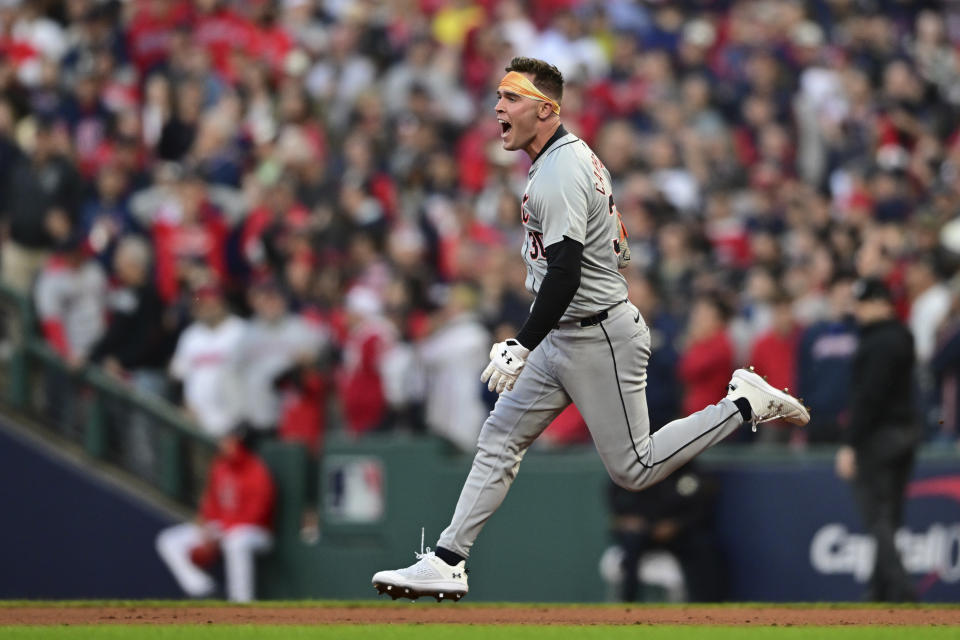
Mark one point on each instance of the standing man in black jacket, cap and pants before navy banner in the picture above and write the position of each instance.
(882, 436)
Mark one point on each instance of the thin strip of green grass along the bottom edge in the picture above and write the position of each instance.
(478, 632)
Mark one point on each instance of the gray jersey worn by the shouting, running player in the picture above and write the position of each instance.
(569, 193)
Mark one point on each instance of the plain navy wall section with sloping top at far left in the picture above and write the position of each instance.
(66, 533)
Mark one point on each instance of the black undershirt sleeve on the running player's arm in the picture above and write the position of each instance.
(555, 293)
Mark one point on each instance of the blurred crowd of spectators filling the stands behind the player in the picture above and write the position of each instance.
(295, 213)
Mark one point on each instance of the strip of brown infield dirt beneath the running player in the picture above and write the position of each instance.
(449, 613)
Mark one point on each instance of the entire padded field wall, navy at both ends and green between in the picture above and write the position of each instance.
(786, 526)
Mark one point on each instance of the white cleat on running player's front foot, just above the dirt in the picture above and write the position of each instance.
(429, 576)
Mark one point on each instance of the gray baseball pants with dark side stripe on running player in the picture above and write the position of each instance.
(603, 370)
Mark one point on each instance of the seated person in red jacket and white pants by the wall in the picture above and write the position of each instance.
(235, 519)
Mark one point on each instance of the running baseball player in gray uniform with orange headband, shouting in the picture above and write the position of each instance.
(583, 341)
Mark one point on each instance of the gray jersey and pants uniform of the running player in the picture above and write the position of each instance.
(596, 357)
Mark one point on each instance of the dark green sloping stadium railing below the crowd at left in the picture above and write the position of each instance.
(114, 422)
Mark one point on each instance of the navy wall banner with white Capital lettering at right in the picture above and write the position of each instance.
(794, 534)
